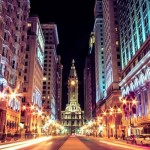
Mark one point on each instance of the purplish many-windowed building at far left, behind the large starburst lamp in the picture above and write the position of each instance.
(13, 37)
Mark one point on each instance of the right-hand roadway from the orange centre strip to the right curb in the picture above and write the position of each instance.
(109, 145)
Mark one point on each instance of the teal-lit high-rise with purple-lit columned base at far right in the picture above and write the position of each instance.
(135, 55)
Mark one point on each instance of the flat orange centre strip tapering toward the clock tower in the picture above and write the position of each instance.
(73, 143)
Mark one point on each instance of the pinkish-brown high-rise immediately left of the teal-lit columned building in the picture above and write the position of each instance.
(112, 64)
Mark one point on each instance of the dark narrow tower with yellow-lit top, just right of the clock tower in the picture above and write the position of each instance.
(89, 81)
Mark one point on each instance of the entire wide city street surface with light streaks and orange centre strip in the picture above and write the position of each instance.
(72, 143)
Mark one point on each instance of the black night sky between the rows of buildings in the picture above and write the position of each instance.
(75, 21)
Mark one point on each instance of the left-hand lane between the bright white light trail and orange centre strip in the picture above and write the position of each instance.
(53, 144)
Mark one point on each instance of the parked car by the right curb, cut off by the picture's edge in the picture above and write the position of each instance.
(138, 139)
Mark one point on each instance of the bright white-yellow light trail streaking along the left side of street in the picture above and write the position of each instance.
(19, 145)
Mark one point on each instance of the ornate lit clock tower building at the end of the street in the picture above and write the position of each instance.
(73, 116)
